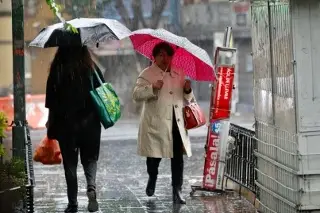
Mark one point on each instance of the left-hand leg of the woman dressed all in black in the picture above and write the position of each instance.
(70, 161)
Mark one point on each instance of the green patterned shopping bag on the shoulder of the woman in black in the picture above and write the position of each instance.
(106, 101)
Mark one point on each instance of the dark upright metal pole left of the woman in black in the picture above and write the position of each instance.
(18, 134)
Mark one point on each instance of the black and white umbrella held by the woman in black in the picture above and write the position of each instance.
(91, 31)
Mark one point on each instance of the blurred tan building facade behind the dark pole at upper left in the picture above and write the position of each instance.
(37, 61)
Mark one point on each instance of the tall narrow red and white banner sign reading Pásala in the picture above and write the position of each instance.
(218, 129)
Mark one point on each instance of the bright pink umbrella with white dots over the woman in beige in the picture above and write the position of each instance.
(195, 61)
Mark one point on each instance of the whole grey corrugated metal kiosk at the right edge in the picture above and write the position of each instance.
(286, 60)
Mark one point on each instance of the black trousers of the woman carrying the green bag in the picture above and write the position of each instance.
(83, 139)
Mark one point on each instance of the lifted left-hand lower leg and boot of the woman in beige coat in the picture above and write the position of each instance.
(152, 169)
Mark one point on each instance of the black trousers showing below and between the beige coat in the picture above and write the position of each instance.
(177, 163)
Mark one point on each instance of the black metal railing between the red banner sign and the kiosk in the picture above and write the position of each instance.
(240, 167)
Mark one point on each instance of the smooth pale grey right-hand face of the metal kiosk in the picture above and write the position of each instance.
(306, 51)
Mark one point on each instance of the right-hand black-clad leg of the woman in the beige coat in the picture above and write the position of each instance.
(177, 164)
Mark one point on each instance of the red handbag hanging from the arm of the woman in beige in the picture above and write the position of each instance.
(193, 115)
